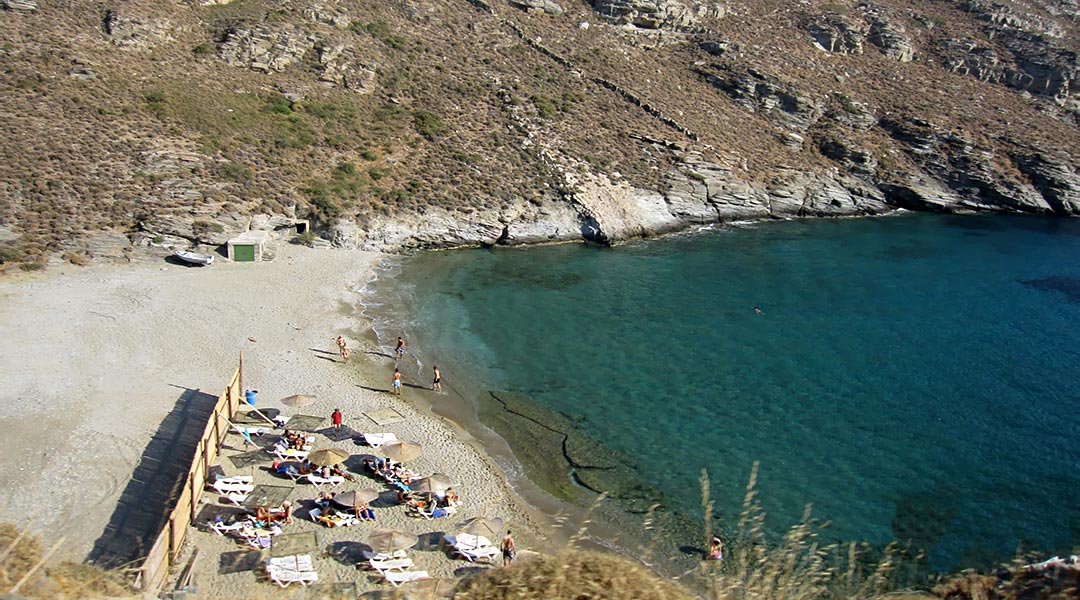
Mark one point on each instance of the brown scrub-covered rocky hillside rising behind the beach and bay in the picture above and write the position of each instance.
(396, 125)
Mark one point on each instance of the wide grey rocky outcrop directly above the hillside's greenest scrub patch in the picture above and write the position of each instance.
(263, 49)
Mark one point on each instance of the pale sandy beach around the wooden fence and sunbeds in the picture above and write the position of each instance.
(98, 357)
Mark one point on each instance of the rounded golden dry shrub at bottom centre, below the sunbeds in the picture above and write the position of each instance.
(571, 576)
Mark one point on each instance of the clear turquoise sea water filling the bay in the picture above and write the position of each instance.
(912, 377)
